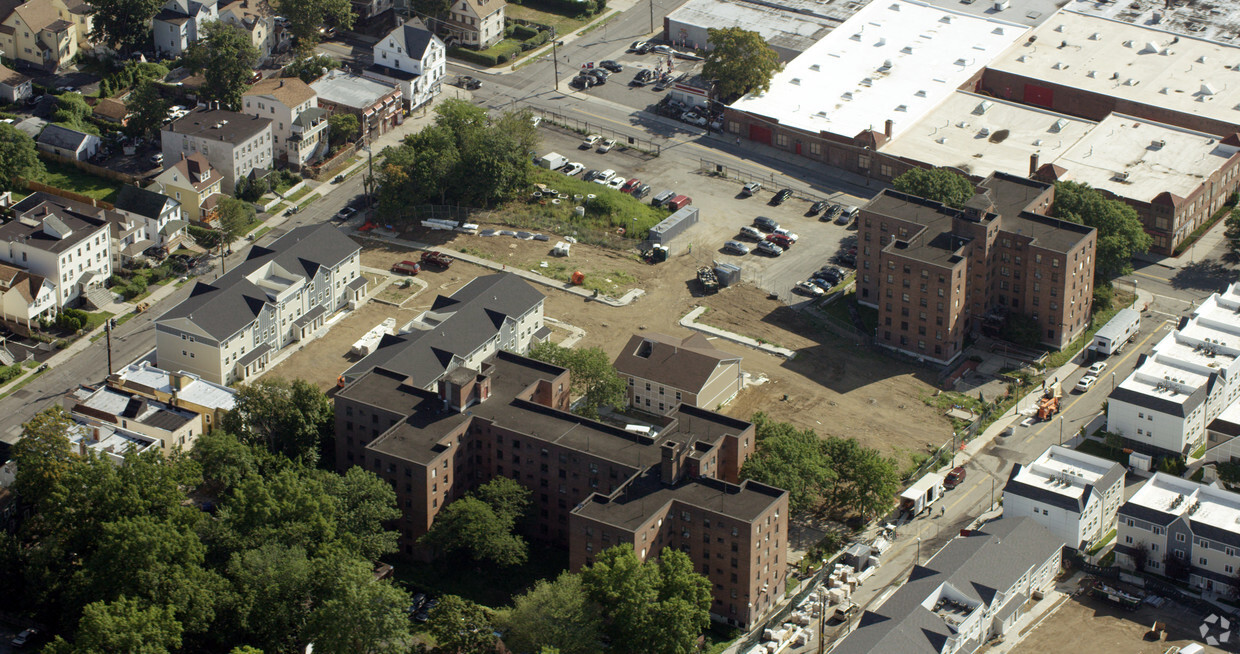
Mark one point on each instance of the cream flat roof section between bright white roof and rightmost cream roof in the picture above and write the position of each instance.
(979, 136)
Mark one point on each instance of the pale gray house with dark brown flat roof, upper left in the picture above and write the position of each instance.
(234, 143)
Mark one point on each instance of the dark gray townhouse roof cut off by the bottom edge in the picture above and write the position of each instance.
(979, 567)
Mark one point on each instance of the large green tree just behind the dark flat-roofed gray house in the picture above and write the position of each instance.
(228, 58)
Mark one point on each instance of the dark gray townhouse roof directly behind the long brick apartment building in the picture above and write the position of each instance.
(479, 311)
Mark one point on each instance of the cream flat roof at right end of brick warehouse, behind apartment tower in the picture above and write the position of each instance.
(1141, 159)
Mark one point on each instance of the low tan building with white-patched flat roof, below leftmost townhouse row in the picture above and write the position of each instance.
(180, 390)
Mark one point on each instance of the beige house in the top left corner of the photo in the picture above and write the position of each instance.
(37, 34)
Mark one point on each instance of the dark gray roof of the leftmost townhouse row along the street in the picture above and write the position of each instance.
(224, 307)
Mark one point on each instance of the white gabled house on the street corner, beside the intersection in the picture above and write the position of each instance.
(411, 58)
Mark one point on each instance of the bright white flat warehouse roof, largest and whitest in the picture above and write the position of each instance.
(875, 68)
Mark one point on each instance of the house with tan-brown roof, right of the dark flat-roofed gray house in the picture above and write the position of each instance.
(299, 127)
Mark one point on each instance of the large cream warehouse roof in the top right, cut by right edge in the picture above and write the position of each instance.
(1135, 63)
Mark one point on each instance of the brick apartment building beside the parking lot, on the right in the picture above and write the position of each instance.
(938, 275)
